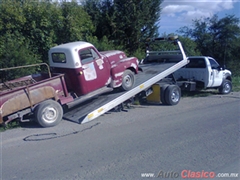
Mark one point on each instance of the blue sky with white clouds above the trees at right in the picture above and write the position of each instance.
(179, 13)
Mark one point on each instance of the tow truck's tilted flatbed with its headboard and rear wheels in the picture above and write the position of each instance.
(150, 75)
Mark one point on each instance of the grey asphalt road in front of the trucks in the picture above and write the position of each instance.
(199, 135)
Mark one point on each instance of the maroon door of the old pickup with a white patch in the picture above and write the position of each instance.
(95, 71)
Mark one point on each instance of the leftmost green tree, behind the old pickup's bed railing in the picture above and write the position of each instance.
(14, 48)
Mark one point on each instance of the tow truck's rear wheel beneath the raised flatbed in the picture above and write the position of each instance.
(172, 95)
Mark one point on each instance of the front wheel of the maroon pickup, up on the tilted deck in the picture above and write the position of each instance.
(128, 80)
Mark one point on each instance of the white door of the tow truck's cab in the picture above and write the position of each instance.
(215, 79)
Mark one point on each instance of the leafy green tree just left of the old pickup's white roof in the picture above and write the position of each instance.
(39, 28)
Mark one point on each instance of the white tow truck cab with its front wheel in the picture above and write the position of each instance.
(206, 73)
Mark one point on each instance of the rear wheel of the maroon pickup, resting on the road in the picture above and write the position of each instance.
(49, 113)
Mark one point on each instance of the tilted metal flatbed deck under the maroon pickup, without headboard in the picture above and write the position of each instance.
(152, 73)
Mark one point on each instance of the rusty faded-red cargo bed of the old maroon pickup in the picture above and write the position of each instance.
(26, 92)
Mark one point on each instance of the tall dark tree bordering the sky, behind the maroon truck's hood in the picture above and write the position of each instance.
(136, 21)
